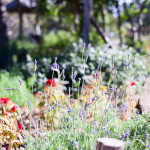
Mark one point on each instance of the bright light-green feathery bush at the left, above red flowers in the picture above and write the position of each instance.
(20, 97)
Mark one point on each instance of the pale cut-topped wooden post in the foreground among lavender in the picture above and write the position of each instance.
(109, 144)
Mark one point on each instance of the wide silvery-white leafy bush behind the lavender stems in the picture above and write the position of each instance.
(125, 62)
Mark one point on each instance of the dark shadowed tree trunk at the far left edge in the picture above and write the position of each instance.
(3, 27)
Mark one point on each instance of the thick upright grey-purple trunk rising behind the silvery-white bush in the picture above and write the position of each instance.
(87, 11)
